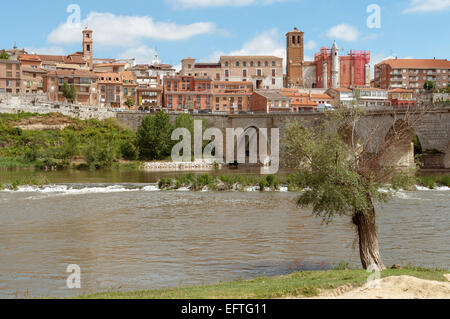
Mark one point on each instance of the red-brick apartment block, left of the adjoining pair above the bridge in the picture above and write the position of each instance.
(187, 93)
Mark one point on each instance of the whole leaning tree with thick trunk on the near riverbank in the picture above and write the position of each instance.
(342, 176)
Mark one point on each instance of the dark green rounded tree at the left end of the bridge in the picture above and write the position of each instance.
(154, 137)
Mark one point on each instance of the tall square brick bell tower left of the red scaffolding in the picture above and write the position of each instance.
(295, 58)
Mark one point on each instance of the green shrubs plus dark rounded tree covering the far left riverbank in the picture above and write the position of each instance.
(54, 141)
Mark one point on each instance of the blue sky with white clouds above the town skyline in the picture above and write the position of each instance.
(206, 29)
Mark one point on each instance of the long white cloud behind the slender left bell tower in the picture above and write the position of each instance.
(122, 31)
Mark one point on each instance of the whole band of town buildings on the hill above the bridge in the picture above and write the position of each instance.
(232, 85)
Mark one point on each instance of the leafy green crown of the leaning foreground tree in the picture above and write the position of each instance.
(324, 166)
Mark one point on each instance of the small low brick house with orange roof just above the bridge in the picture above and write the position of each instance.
(269, 101)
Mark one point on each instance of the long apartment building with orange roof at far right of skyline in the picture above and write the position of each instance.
(411, 74)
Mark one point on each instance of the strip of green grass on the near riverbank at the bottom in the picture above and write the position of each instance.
(298, 284)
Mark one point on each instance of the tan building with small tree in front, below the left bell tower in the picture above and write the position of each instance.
(85, 83)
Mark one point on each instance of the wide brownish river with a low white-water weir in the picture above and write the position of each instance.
(126, 235)
